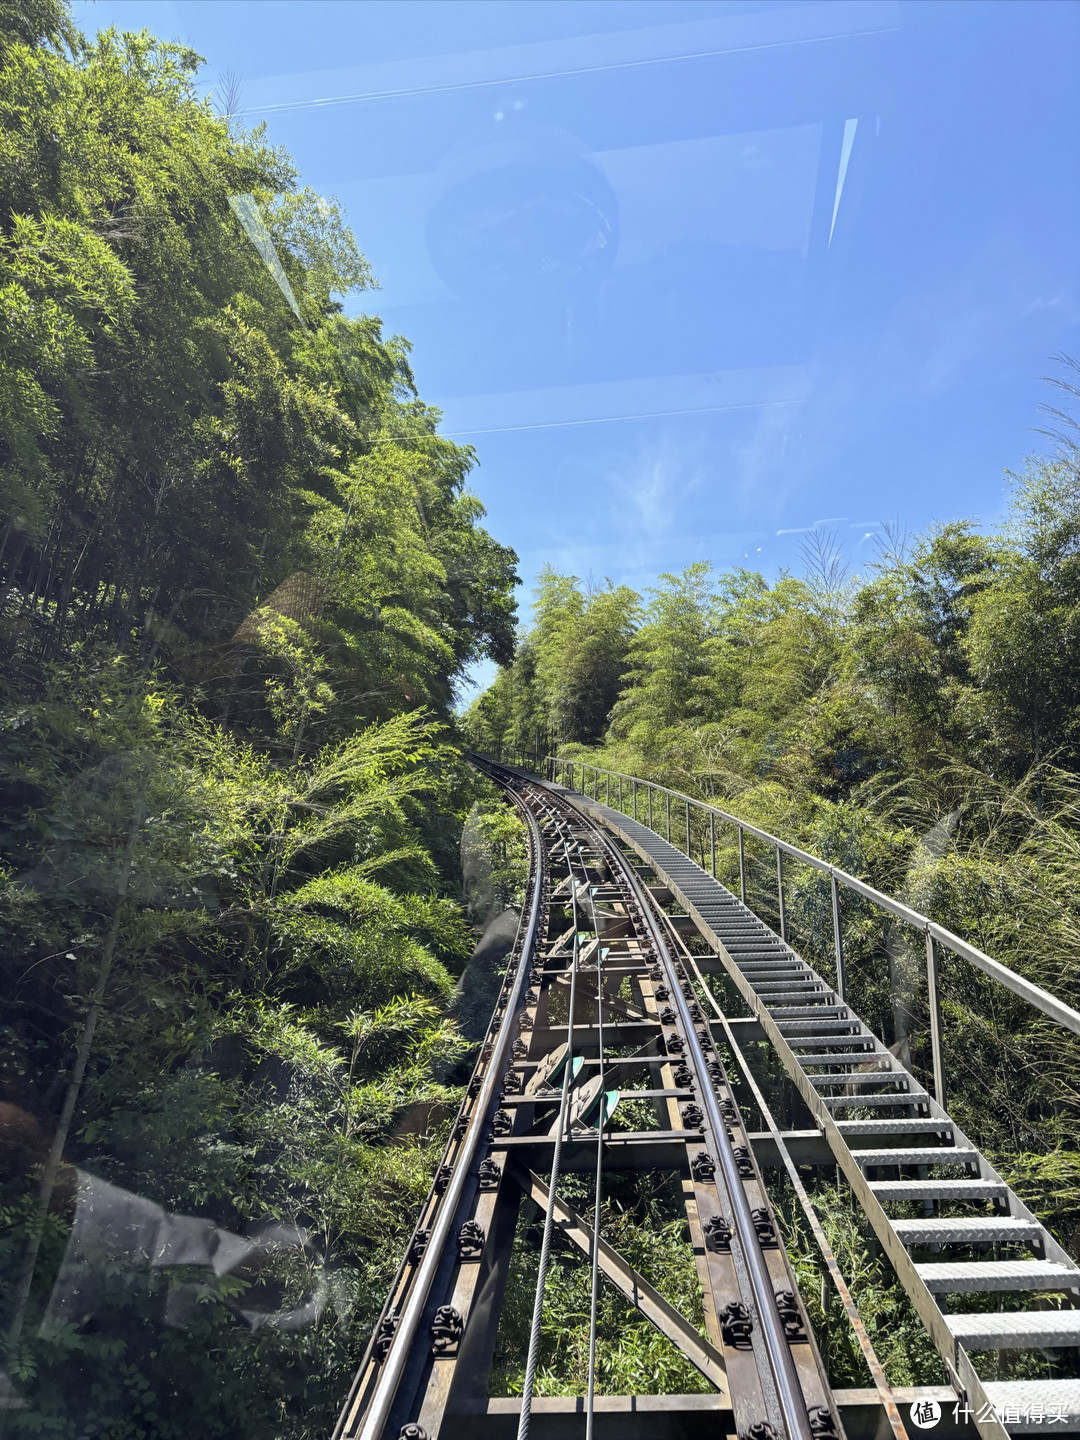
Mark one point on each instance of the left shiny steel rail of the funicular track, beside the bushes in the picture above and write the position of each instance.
(385, 1393)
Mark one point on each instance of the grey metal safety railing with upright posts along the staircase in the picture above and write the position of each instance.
(591, 780)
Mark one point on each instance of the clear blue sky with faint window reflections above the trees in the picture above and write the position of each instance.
(693, 277)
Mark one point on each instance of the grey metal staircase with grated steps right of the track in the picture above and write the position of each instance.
(935, 1203)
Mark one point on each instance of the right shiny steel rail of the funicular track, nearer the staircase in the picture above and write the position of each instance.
(788, 1390)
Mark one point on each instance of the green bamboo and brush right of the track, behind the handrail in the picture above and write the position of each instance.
(918, 725)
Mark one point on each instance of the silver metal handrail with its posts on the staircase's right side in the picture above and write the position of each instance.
(935, 935)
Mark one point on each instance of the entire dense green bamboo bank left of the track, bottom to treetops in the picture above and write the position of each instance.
(241, 577)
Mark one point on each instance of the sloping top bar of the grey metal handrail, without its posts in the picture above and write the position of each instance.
(1036, 996)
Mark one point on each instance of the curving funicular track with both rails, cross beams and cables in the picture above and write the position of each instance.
(598, 1004)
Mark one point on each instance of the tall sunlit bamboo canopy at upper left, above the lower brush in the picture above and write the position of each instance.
(176, 446)
